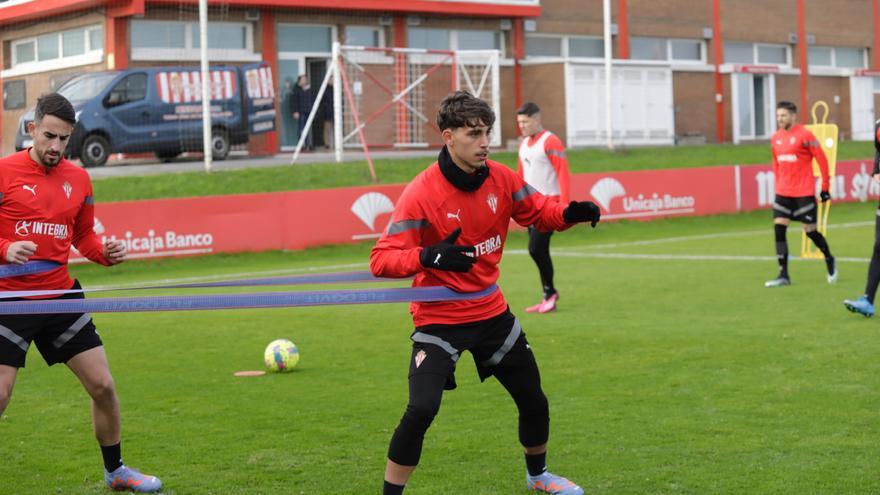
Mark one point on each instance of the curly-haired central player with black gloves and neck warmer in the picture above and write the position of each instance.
(448, 229)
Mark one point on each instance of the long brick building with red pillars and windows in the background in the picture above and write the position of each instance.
(683, 71)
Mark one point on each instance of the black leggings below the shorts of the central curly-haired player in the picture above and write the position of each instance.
(425, 391)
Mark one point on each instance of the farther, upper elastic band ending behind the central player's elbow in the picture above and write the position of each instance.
(317, 278)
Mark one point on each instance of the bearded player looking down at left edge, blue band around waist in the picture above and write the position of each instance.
(46, 205)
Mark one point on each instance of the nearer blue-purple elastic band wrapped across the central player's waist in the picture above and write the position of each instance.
(240, 301)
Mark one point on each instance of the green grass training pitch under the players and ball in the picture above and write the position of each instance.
(669, 368)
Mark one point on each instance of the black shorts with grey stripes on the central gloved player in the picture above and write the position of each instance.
(493, 343)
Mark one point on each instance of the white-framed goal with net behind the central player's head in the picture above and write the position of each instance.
(388, 98)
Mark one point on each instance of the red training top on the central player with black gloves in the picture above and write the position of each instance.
(430, 208)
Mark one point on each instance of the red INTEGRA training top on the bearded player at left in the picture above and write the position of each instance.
(51, 207)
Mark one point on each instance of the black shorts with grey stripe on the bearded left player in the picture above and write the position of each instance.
(59, 337)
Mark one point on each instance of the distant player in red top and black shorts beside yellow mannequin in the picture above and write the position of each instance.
(794, 148)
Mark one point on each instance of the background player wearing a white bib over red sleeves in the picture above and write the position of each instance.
(543, 165)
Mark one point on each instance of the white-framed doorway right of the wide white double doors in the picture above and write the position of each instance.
(754, 102)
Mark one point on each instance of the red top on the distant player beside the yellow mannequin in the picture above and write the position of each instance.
(793, 152)
